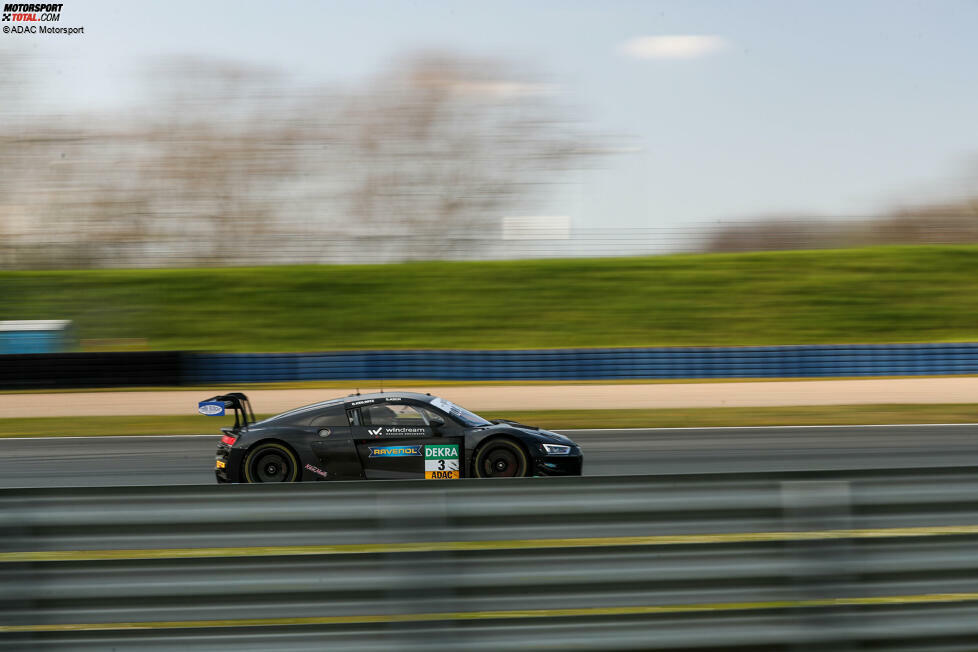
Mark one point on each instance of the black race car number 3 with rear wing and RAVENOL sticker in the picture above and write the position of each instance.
(382, 436)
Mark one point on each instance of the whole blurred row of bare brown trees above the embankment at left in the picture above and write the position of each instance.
(229, 164)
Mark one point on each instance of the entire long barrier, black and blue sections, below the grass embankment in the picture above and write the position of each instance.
(175, 368)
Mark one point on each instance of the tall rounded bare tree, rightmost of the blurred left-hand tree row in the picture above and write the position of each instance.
(432, 153)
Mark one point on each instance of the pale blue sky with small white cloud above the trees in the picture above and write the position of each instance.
(730, 109)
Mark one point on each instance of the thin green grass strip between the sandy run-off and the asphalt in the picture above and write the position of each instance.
(551, 419)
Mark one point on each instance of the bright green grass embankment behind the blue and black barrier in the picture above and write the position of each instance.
(885, 294)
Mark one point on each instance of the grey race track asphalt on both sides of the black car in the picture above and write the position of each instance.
(94, 461)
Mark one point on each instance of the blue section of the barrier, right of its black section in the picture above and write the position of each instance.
(589, 364)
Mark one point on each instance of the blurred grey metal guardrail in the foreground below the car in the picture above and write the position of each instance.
(829, 560)
